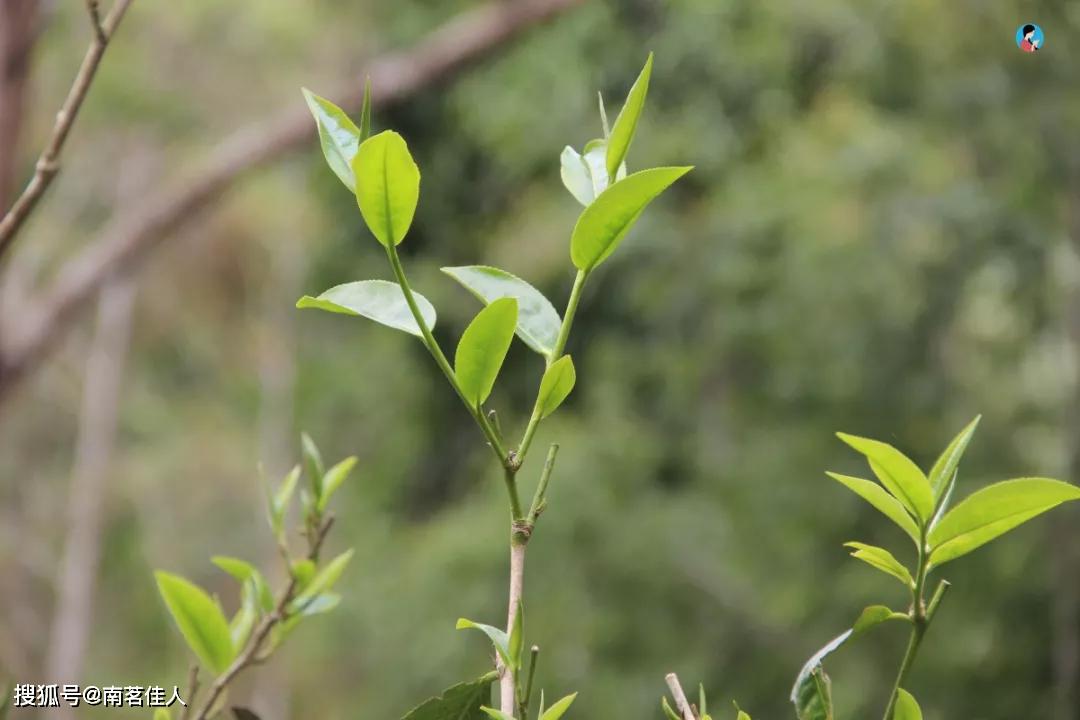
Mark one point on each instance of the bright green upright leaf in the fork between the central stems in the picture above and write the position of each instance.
(482, 349)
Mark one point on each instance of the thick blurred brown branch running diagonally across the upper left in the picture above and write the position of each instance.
(134, 233)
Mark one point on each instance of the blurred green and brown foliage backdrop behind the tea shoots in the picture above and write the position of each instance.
(881, 237)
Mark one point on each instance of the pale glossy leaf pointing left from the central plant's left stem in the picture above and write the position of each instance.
(375, 300)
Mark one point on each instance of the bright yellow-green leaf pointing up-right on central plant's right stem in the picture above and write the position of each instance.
(607, 221)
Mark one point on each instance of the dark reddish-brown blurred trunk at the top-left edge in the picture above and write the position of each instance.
(19, 21)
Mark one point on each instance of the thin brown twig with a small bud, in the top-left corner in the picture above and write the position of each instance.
(48, 165)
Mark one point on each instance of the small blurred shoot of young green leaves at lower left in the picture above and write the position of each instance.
(227, 646)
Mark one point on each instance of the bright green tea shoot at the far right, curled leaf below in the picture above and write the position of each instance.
(920, 505)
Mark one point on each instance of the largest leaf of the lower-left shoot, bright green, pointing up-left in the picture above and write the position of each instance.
(199, 619)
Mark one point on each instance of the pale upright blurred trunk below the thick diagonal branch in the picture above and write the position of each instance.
(98, 427)
